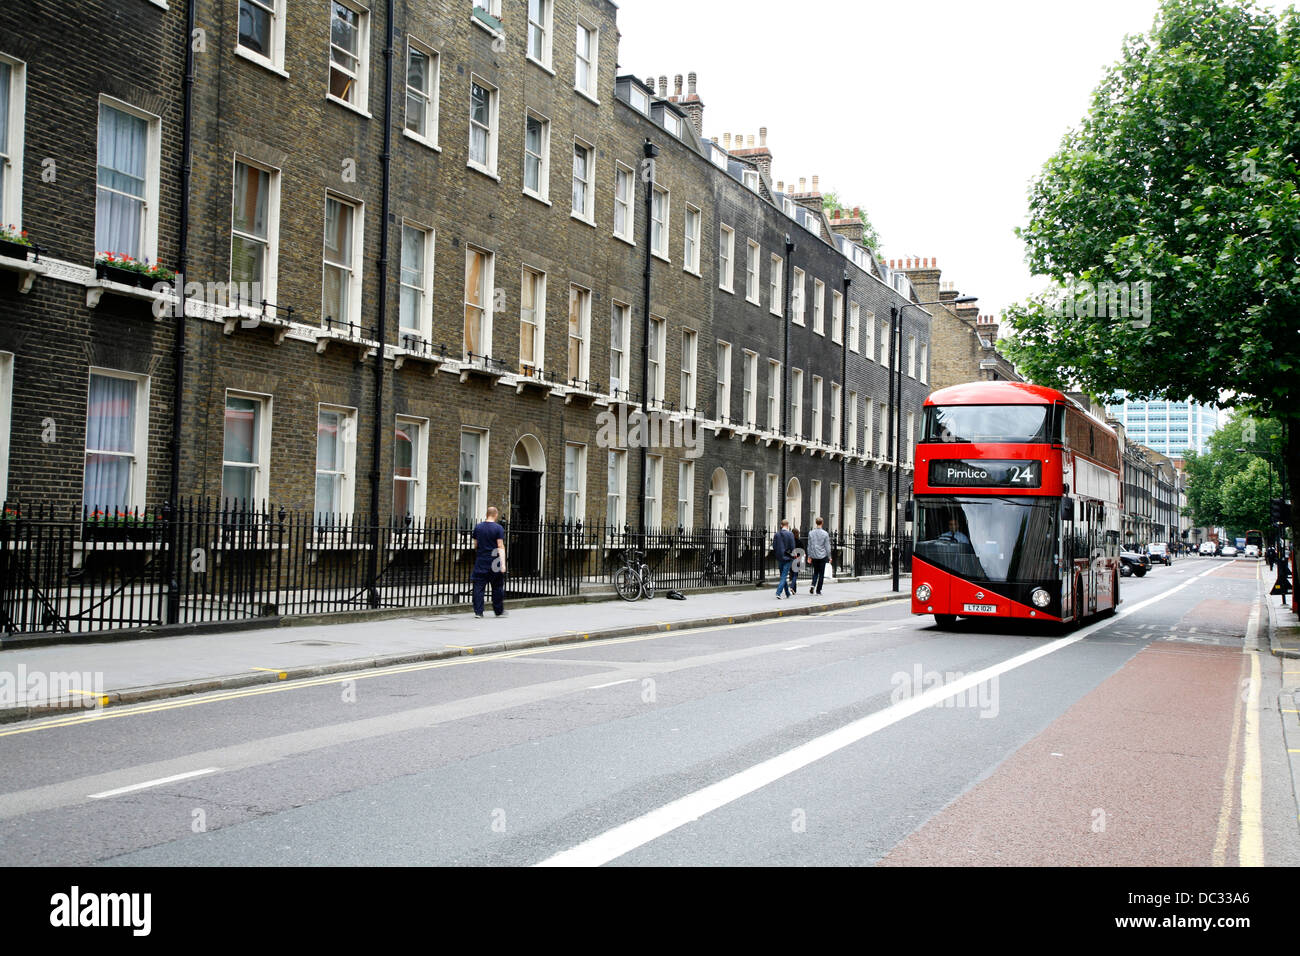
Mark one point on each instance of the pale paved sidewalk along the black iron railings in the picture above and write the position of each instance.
(38, 681)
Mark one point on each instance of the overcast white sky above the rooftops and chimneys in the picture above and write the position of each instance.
(933, 115)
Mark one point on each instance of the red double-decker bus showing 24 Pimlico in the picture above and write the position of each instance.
(1017, 507)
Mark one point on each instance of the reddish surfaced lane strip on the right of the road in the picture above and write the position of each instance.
(1132, 776)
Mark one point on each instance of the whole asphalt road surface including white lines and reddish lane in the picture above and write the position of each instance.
(864, 737)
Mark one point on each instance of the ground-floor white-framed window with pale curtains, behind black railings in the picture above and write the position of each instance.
(110, 443)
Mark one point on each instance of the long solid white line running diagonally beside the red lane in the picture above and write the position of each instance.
(636, 833)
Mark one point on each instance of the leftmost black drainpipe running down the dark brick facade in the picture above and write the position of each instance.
(183, 267)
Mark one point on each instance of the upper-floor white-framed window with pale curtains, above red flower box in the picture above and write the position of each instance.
(120, 202)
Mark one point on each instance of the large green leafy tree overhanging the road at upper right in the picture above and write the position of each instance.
(1171, 222)
